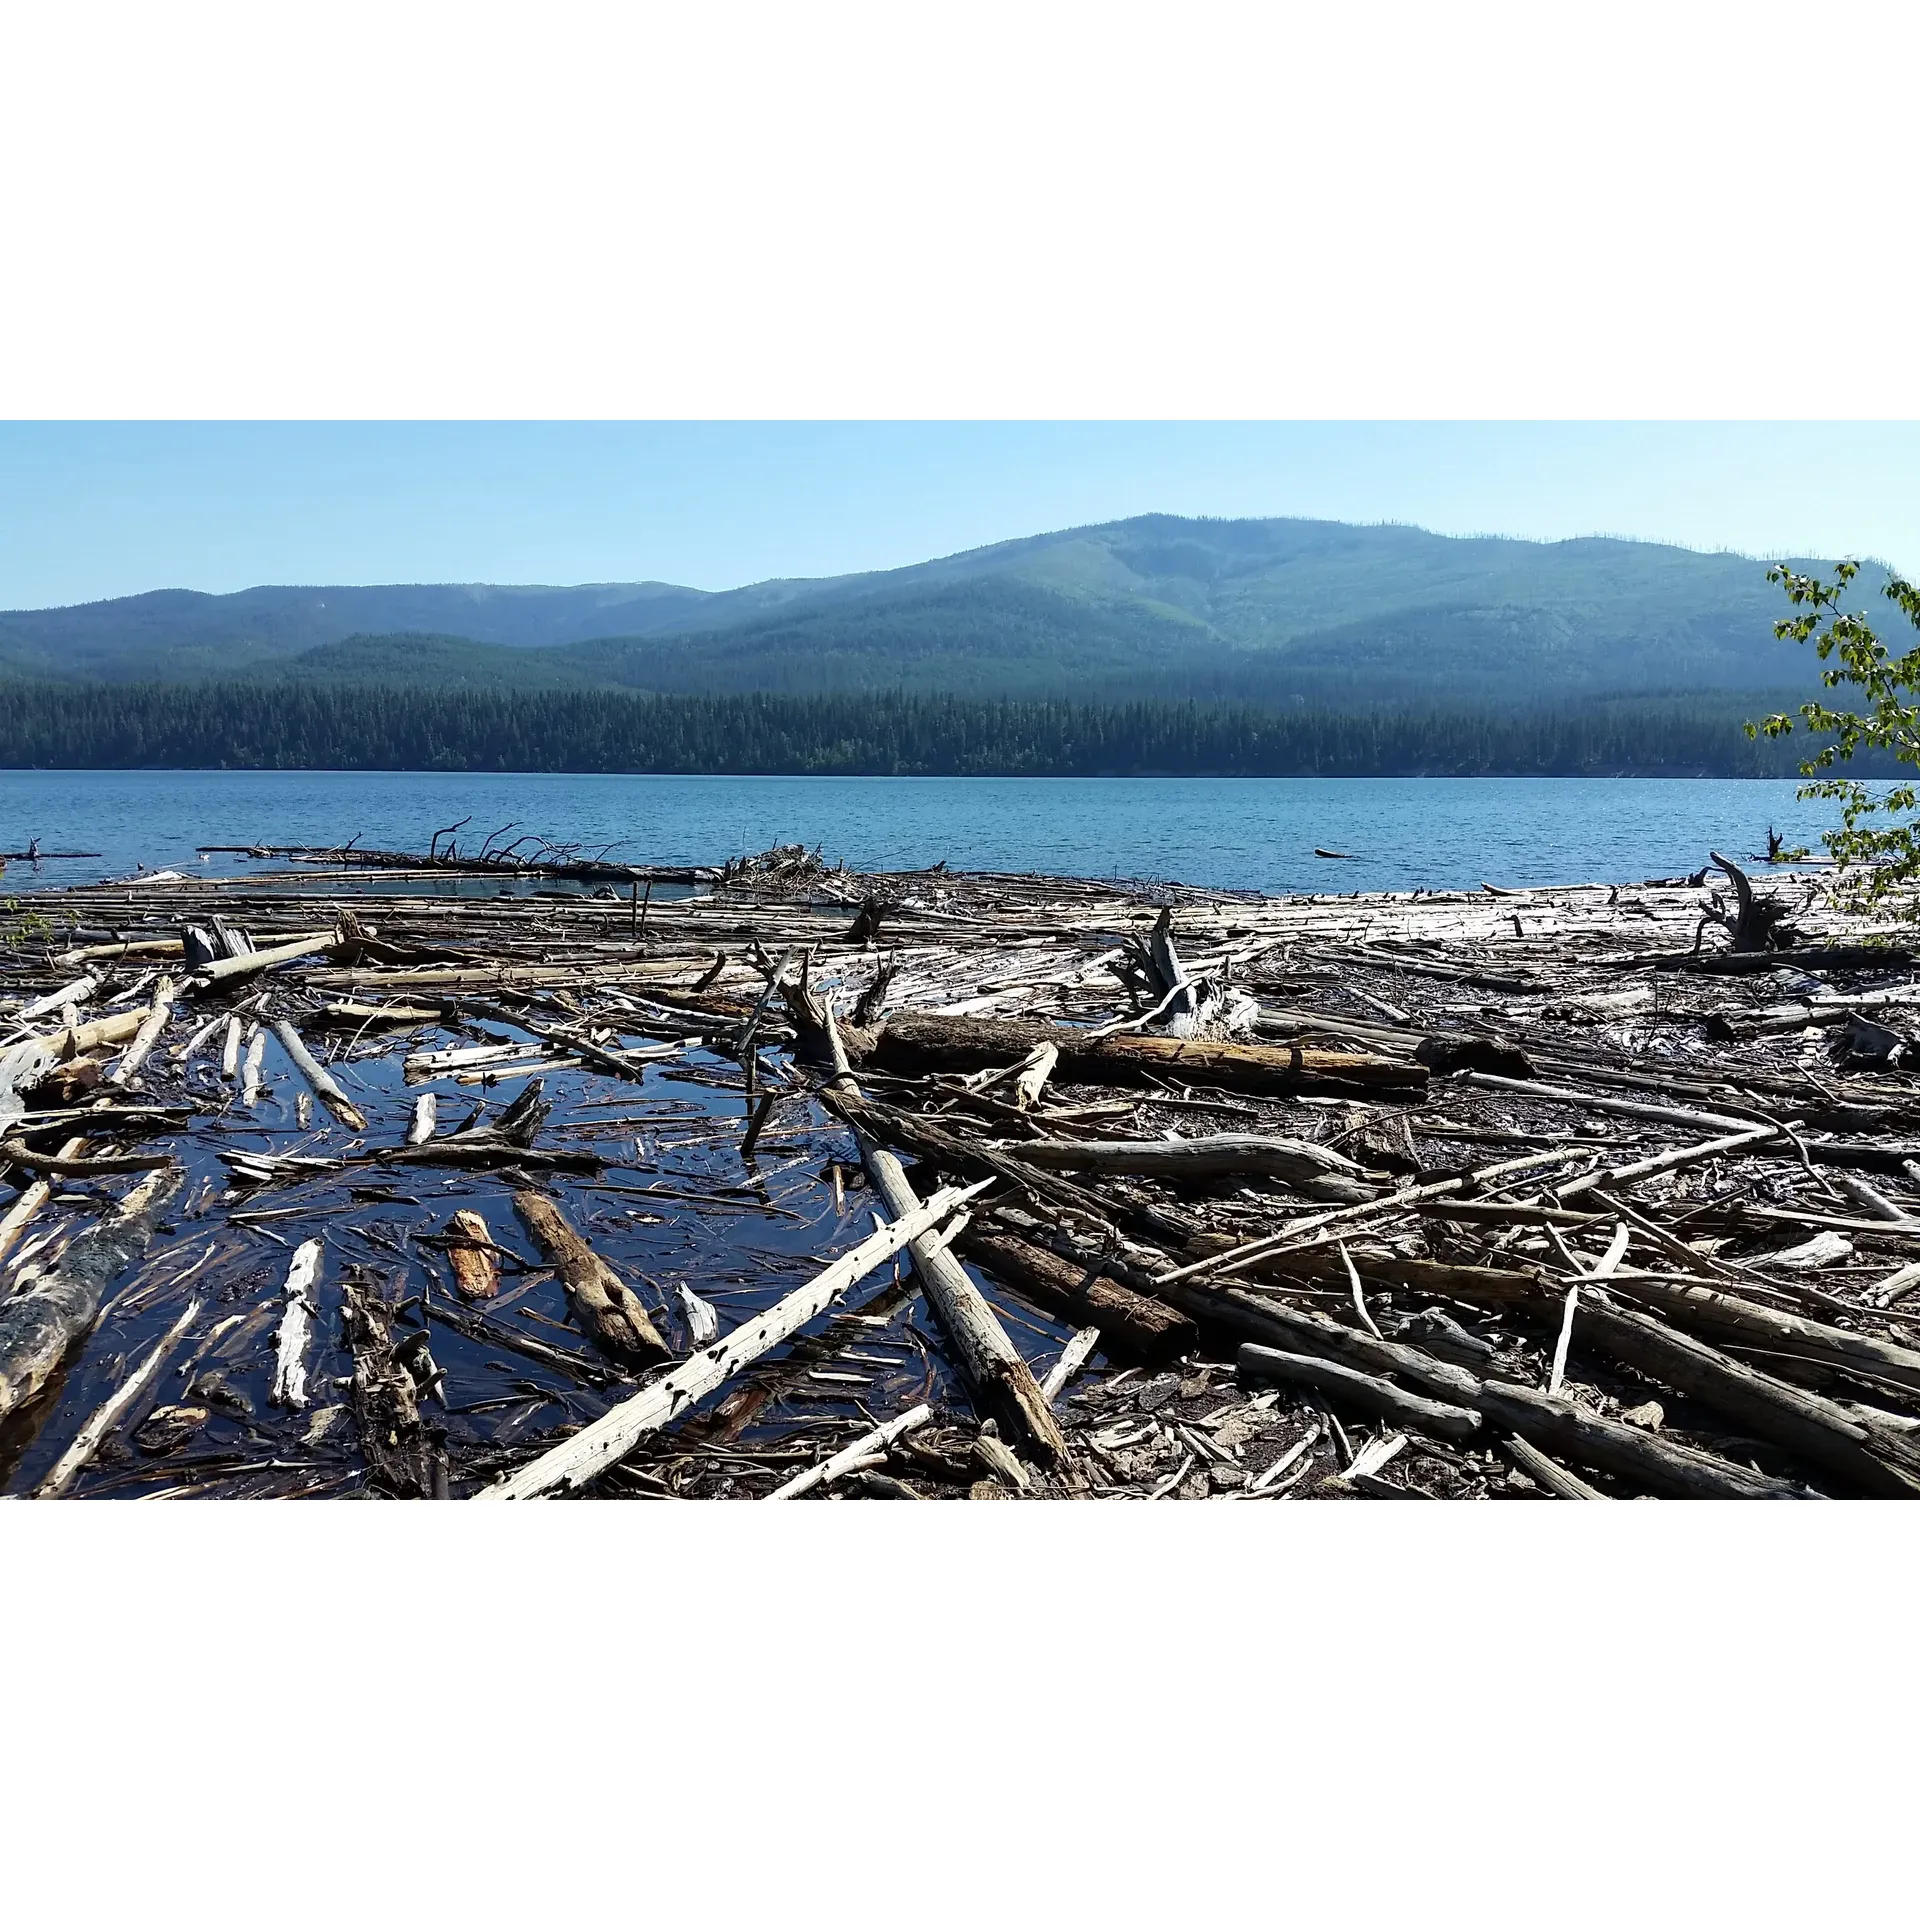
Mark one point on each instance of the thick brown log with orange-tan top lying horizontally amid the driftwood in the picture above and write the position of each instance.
(949, 1044)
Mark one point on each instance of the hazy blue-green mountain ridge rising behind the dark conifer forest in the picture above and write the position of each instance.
(1155, 608)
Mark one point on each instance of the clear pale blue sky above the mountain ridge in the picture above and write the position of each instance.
(91, 512)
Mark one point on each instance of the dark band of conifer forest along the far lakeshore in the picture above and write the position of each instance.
(229, 725)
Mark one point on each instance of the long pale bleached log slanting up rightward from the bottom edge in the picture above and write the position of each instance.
(590, 1452)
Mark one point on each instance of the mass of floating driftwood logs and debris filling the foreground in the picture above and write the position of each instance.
(951, 1186)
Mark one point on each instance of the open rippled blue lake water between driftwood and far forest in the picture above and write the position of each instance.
(1207, 832)
